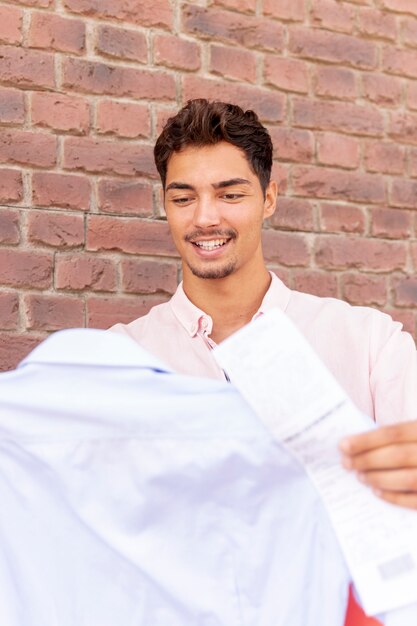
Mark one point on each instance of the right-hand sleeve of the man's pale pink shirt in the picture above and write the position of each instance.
(393, 373)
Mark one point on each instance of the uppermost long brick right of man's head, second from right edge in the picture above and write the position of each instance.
(333, 47)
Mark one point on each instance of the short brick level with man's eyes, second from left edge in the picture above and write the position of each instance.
(61, 190)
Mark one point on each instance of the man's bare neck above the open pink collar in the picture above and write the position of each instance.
(231, 302)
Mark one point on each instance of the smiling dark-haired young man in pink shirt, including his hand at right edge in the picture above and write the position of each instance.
(215, 162)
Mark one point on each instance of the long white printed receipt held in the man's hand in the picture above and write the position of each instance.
(303, 406)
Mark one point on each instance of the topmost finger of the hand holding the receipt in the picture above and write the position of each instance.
(396, 433)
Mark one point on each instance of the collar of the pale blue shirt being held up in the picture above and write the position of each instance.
(80, 346)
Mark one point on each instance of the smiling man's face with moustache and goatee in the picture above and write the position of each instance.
(215, 208)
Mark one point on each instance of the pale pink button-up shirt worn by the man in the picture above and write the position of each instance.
(365, 349)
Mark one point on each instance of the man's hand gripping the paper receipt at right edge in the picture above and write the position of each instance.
(386, 460)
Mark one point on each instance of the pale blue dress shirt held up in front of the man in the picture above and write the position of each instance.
(134, 496)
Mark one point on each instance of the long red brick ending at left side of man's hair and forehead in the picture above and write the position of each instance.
(90, 155)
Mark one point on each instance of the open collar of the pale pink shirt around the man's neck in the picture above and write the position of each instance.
(194, 319)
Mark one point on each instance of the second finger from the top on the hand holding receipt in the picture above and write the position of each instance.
(388, 457)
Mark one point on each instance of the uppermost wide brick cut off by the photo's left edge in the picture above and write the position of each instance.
(26, 68)
